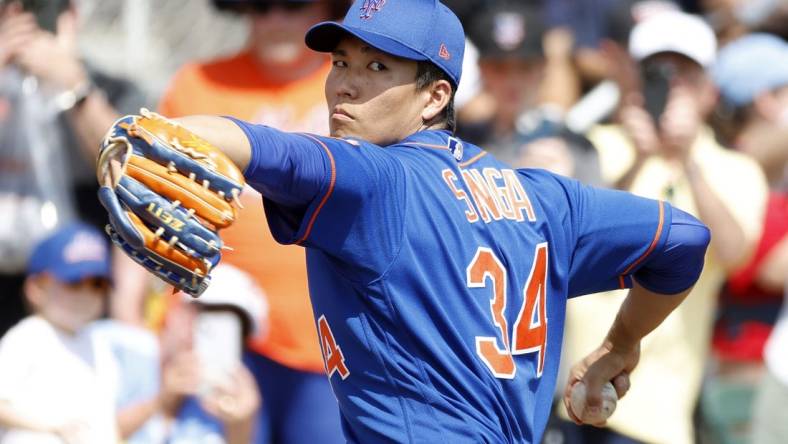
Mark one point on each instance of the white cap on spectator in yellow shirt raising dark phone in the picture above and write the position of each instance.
(674, 31)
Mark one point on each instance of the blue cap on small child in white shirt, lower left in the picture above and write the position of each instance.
(71, 254)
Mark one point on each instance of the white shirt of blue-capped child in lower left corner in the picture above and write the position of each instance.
(55, 377)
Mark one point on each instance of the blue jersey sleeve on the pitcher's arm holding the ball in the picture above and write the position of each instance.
(612, 236)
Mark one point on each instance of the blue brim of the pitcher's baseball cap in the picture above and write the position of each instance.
(325, 36)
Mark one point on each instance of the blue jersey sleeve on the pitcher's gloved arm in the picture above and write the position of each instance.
(341, 197)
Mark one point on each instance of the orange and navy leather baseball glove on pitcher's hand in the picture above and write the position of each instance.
(168, 193)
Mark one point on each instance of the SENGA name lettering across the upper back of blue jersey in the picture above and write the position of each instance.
(490, 194)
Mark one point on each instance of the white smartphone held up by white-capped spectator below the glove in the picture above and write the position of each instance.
(218, 345)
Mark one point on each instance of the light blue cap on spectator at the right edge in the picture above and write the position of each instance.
(749, 66)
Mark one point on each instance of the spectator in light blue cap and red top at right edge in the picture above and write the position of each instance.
(755, 101)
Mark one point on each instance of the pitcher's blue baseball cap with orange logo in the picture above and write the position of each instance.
(421, 30)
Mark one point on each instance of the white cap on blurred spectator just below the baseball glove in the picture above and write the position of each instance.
(234, 287)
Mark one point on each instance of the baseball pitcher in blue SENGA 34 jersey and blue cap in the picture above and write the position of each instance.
(439, 276)
